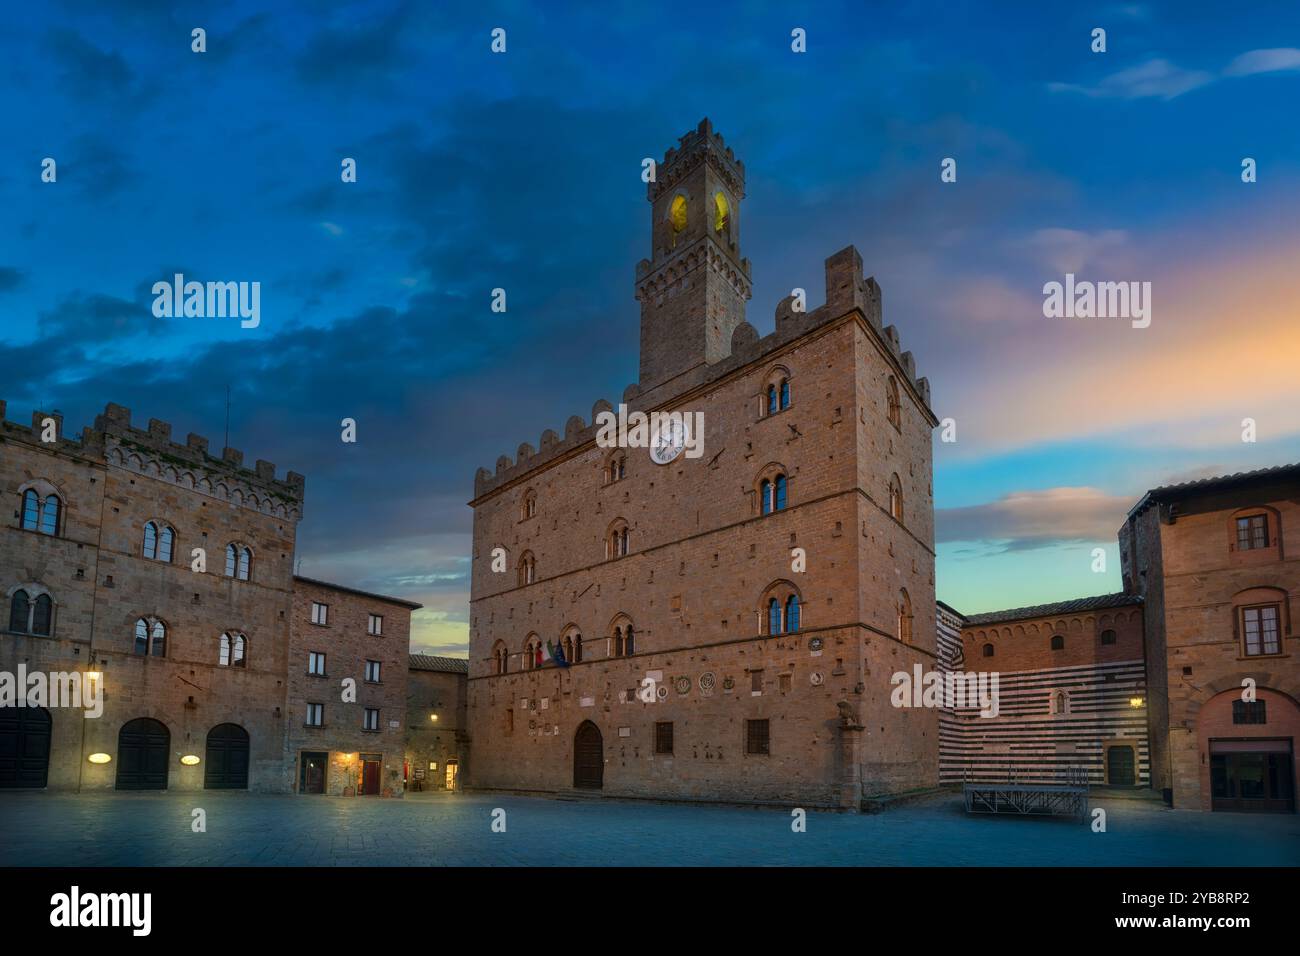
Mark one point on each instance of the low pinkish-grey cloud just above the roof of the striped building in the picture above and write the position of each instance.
(1024, 521)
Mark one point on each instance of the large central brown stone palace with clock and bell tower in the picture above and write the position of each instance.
(704, 661)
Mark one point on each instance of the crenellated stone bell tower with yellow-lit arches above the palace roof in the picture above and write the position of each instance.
(695, 285)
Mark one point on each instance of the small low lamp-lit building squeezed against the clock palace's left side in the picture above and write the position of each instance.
(437, 723)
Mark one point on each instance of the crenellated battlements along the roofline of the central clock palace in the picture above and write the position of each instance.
(847, 291)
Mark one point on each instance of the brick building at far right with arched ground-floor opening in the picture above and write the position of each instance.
(1210, 559)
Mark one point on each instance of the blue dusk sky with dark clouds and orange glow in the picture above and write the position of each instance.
(522, 170)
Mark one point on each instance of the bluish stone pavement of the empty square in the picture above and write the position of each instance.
(456, 830)
